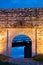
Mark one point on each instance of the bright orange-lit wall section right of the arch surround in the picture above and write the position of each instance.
(40, 40)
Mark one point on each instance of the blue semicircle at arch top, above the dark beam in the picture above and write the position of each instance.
(21, 38)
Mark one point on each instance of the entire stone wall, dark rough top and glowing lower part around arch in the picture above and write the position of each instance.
(21, 21)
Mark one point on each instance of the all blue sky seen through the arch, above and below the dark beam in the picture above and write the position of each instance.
(18, 52)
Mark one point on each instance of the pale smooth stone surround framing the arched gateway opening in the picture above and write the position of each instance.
(17, 31)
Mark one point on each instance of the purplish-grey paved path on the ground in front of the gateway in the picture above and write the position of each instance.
(25, 62)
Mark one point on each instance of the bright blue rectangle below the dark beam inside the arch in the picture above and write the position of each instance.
(17, 52)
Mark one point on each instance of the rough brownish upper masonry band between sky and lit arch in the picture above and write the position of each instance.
(25, 17)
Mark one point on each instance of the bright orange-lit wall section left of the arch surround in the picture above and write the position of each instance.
(2, 41)
